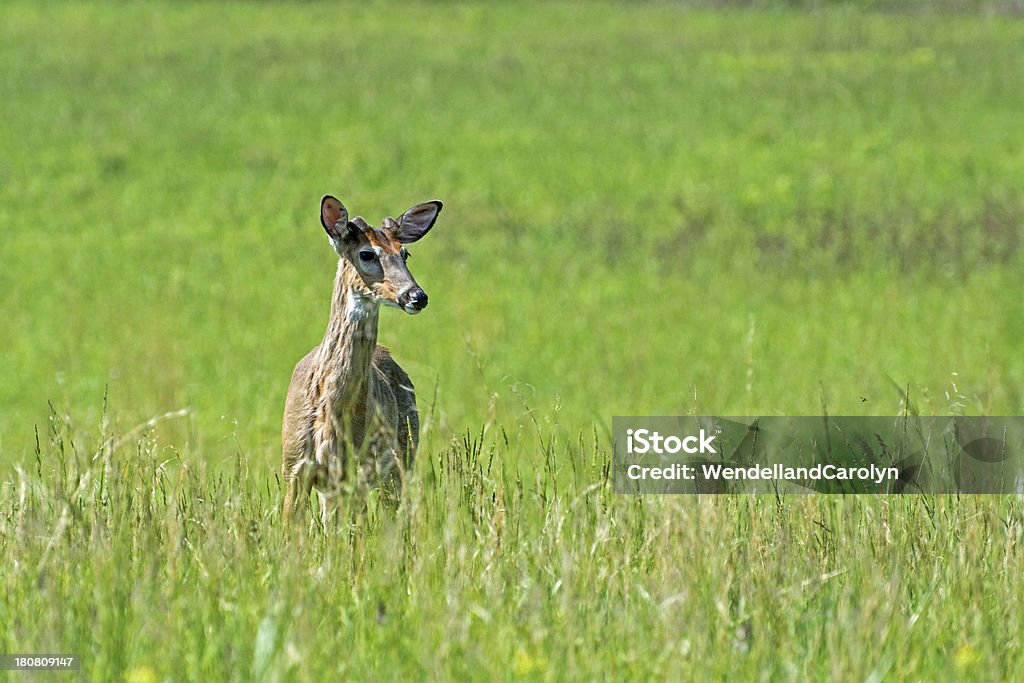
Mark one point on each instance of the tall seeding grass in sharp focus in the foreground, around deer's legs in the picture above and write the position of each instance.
(503, 563)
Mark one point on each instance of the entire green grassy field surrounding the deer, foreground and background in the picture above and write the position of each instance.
(650, 209)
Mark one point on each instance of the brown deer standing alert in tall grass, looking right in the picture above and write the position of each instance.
(351, 410)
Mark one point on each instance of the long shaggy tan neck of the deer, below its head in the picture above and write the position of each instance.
(348, 351)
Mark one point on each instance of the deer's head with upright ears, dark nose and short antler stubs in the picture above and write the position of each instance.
(379, 255)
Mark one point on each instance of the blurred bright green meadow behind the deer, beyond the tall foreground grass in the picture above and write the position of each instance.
(650, 208)
